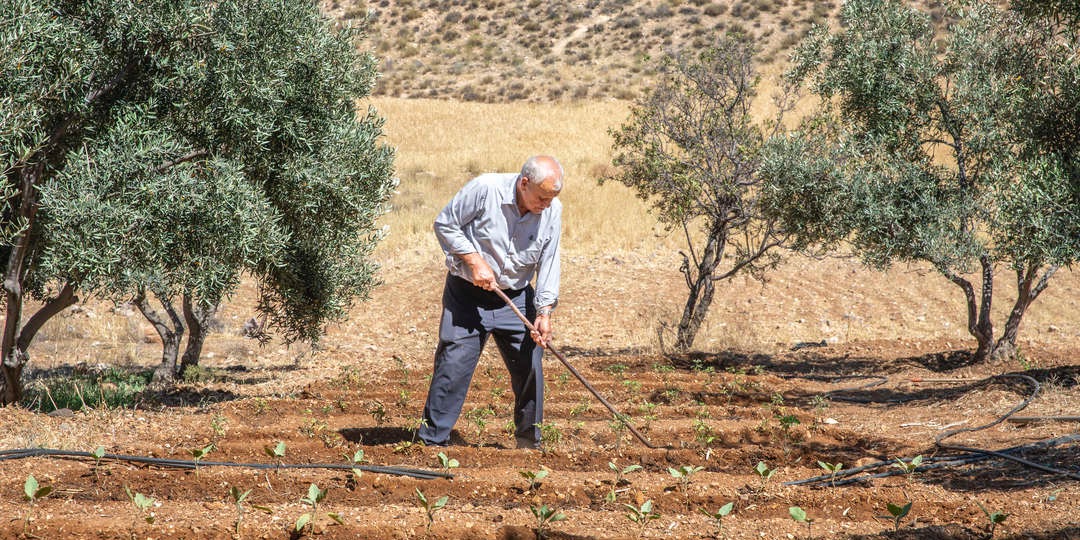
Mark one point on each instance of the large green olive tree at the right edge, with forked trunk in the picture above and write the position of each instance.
(923, 152)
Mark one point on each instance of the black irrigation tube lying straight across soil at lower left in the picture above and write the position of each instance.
(185, 464)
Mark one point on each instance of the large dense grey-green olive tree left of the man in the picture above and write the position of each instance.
(169, 147)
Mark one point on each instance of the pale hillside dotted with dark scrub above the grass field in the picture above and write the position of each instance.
(528, 50)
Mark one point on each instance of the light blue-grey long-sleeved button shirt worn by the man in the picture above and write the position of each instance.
(483, 219)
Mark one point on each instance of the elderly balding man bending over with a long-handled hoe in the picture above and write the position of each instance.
(502, 231)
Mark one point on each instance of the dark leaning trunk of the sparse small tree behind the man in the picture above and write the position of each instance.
(700, 282)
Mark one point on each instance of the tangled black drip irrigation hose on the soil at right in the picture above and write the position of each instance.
(969, 455)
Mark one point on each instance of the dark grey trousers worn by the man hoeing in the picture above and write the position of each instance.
(471, 315)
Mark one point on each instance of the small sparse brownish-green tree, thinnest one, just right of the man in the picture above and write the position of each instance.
(692, 148)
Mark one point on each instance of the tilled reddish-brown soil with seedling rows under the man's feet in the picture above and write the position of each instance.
(723, 411)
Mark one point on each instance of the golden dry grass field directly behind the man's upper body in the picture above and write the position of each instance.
(441, 145)
